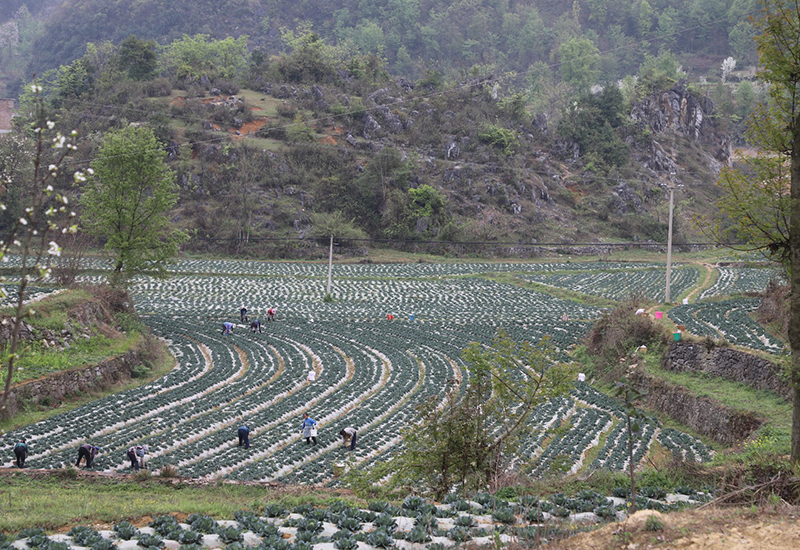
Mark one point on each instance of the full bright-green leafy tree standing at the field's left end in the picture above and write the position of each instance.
(127, 202)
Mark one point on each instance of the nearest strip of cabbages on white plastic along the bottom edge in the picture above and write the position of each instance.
(416, 523)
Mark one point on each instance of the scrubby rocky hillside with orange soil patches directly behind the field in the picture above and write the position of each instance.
(266, 150)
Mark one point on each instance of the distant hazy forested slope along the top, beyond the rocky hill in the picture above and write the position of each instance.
(414, 36)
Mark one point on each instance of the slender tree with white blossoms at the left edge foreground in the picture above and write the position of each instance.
(32, 236)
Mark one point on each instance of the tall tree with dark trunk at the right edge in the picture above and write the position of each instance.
(767, 188)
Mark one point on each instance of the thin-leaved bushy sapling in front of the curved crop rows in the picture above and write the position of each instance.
(471, 437)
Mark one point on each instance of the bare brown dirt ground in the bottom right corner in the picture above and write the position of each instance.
(711, 529)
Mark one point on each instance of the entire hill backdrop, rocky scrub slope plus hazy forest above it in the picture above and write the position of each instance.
(404, 119)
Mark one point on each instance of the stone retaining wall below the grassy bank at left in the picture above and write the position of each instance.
(54, 388)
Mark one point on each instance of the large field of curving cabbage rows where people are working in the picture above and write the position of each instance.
(370, 371)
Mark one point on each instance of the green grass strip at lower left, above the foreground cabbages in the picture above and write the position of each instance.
(57, 502)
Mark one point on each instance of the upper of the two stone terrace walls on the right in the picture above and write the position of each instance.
(728, 363)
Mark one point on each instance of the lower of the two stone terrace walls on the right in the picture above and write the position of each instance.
(704, 415)
